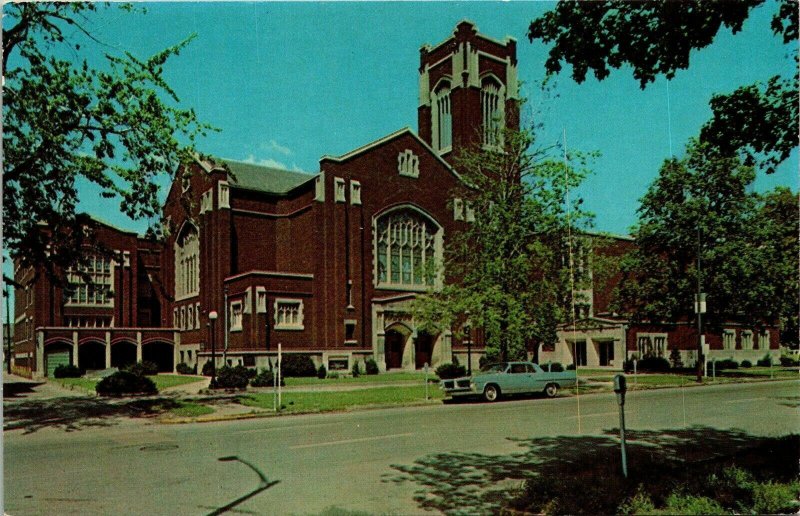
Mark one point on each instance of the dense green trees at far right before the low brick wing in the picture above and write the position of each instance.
(701, 204)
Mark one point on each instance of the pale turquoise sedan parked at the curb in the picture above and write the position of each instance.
(504, 378)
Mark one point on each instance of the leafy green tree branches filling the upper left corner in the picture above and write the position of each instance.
(118, 126)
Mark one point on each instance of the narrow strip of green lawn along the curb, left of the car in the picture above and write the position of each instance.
(329, 401)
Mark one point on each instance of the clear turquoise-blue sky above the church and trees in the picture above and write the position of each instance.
(289, 82)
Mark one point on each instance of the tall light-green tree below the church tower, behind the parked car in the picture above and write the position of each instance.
(505, 269)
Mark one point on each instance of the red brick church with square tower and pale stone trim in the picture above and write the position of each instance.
(324, 264)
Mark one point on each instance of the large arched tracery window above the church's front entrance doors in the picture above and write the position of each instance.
(408, 249)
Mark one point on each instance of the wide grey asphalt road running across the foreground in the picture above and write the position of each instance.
(455, 458)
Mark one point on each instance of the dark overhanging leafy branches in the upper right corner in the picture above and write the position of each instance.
(759, 121)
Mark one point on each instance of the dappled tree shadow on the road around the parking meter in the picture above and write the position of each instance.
(470, 483)
